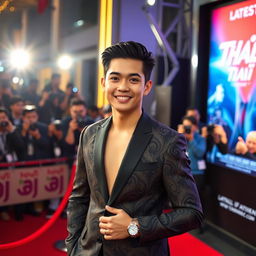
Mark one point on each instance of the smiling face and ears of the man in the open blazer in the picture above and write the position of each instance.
(125, 86)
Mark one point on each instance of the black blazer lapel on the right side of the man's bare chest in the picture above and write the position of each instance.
(137, 146)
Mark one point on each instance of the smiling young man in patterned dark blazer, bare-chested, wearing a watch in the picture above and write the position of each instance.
(129, 167)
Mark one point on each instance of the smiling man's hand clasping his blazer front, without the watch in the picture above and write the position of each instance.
(115, 227)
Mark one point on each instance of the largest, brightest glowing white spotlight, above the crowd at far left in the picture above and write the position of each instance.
(20, 59)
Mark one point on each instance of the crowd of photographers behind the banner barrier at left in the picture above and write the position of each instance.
(45, 126)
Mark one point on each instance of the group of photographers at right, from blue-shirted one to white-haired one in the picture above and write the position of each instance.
(203, 139)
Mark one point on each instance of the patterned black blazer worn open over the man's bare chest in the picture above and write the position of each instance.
(154, 173)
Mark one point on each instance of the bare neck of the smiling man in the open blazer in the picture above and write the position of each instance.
(125, 121)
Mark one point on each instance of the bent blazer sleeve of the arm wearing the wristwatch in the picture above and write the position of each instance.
(186, 213)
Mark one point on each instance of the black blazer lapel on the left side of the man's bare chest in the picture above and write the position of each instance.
(99, 149)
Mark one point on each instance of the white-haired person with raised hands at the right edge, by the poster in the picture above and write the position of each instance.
(247, 148)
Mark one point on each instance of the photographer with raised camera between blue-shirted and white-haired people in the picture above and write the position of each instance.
(215, 135)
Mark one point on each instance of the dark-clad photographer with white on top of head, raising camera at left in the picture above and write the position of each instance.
(35, 135)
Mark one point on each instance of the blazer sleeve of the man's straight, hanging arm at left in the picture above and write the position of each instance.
(78, 201)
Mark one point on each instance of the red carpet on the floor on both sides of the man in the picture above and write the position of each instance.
(181, 245)
